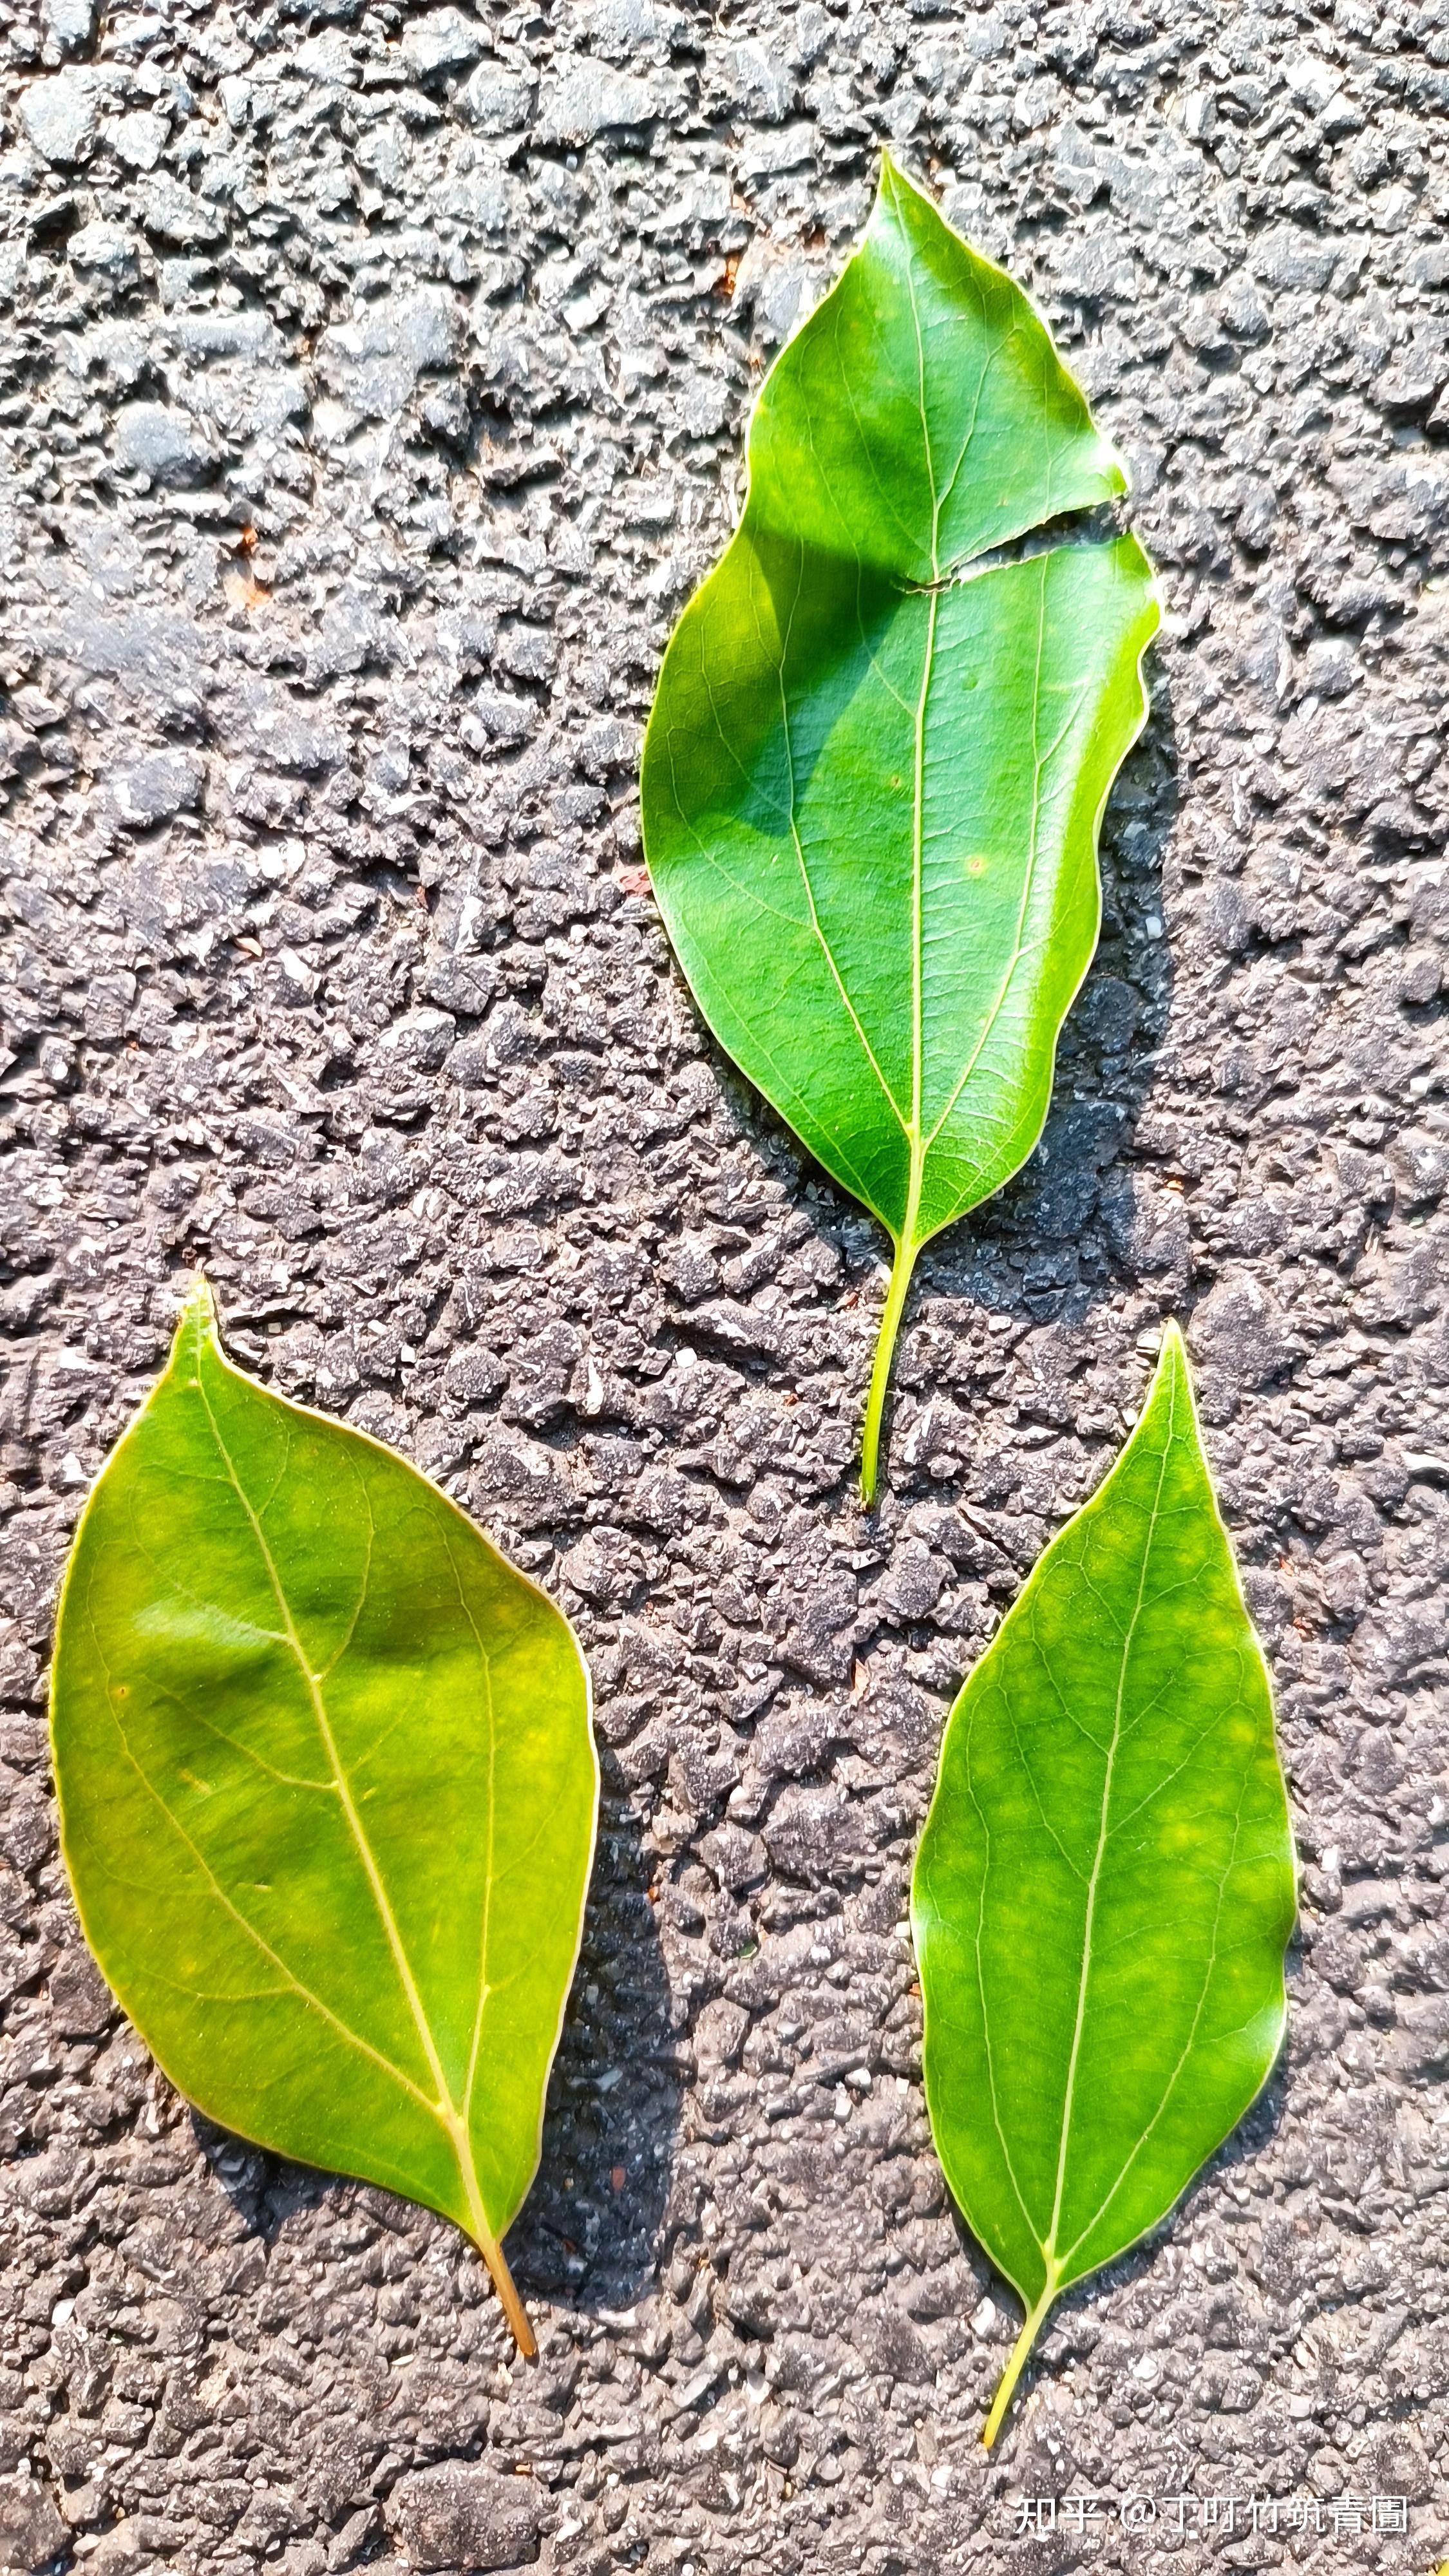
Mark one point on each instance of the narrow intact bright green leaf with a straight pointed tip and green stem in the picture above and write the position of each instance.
(1105, 1884)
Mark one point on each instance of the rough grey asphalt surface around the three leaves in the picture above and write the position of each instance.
(373, 398)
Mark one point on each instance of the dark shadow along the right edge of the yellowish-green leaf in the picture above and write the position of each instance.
(592, 2227)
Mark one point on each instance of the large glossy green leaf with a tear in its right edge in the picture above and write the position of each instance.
(875, 777)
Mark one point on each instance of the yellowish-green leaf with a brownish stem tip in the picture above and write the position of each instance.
(329, 1792)
